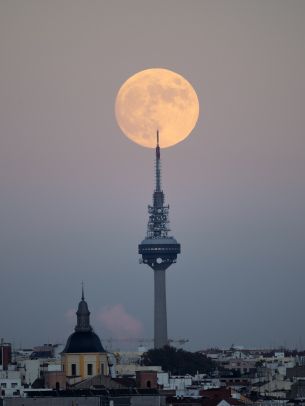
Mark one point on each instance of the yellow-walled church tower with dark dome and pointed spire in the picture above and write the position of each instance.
(83, 355)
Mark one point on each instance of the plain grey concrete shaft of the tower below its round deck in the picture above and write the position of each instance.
(160, 333)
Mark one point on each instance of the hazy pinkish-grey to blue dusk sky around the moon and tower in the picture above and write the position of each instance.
(75, 190)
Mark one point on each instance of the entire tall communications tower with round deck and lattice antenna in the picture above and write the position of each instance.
(159, 251)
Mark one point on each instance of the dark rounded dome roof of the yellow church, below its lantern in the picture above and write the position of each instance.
(83, 342)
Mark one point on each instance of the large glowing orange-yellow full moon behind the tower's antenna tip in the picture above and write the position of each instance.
(156, 99)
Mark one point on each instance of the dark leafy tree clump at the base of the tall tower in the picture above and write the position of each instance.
(177, 361)
